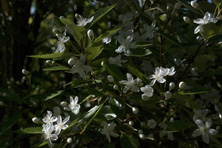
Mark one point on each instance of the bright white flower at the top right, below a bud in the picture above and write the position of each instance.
(208, 18)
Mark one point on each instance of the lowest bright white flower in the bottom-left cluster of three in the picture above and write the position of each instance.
(48, 129)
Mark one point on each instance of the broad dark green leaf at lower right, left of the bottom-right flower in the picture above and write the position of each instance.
(176, 126)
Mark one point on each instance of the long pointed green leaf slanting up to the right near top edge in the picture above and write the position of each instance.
(100, 13)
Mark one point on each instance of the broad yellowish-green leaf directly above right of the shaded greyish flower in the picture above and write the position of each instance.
(93, 51)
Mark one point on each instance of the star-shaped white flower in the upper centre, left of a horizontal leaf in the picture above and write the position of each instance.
(125, 45)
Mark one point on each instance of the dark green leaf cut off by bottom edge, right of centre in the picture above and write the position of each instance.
(127, 142)
